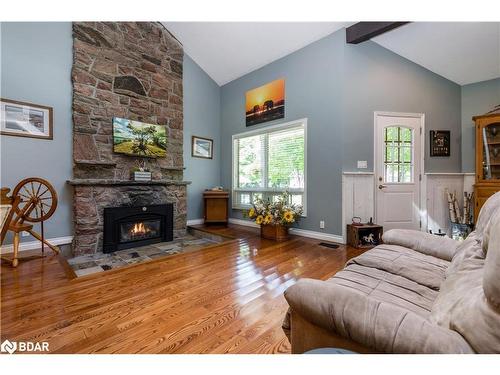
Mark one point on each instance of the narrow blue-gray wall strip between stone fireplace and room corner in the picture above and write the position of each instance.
(201, 118)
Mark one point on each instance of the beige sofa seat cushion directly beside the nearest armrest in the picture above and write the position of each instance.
(386, 287)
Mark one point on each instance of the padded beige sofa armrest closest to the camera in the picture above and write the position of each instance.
(380, 326)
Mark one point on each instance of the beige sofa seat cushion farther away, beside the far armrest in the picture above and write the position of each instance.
(423, 269)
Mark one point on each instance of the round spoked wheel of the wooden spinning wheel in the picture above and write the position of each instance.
(38, 199)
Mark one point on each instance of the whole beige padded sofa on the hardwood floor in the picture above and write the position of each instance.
(416, 293)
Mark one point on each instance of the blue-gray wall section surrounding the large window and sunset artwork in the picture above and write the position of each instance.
(313, 89)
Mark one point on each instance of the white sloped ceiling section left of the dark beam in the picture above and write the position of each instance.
(229, 50)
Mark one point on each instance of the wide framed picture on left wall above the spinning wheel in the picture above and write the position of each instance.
(25, 119)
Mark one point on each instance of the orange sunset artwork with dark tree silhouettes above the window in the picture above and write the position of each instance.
(265, 103)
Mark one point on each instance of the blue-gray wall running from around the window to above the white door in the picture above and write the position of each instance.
(338, 87)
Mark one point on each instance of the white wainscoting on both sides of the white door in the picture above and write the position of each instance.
(358, 197)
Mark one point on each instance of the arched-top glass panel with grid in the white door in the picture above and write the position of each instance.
(398, 154)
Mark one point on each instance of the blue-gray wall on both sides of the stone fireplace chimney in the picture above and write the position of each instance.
(36, 61)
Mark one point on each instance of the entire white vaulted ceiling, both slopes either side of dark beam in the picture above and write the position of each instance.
(463, 52)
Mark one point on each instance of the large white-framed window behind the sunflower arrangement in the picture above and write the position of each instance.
(266, 162)
